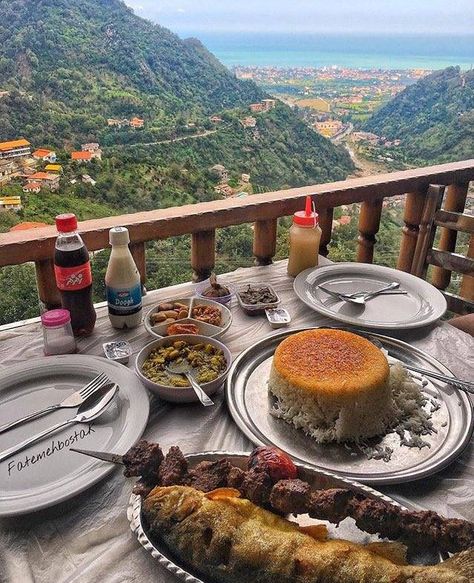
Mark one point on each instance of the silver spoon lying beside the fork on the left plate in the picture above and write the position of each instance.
(92, 408)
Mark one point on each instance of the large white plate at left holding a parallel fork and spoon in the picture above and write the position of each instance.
(53, 478)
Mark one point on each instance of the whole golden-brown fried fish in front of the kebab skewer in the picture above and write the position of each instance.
(227, 539)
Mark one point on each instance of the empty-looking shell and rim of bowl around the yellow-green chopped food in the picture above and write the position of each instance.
(181, 395)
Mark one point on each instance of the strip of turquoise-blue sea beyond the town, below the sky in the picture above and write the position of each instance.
(351, 51)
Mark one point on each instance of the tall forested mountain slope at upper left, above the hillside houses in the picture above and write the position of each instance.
(70, 64)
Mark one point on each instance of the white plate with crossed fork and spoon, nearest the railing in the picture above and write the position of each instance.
(422, 305)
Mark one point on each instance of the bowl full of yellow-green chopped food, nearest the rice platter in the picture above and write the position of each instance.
(208, 358)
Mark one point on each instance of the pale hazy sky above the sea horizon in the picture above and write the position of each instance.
(188, 17)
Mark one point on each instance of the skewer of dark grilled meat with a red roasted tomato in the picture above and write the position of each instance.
(271, 481)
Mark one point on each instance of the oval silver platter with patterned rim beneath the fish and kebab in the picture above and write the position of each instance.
(318, 479)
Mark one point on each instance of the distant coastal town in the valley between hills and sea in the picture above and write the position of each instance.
(334, 100)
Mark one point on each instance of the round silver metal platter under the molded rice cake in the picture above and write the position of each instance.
(250, 406)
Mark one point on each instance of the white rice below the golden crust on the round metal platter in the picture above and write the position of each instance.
(339, 420)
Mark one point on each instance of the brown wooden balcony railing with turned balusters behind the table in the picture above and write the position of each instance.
(201, 220)
